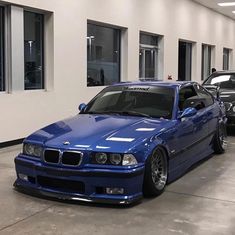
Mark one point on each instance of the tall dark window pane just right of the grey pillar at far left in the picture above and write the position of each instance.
(33, 51)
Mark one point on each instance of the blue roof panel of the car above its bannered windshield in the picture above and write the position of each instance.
(173, 84)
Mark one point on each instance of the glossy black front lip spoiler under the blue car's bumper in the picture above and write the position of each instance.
(61, 196)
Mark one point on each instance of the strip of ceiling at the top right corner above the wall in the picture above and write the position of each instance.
(212, 4)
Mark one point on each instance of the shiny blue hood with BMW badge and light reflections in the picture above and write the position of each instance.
(99, 132)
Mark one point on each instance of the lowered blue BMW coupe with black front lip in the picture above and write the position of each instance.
(130, 140)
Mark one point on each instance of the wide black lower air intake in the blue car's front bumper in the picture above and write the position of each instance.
(61, 185)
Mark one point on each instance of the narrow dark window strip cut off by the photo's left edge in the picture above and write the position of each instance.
(2, 78)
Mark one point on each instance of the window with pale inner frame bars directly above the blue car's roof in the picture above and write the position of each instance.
(148, 56)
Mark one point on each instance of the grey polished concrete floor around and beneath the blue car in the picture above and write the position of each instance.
(201, 202)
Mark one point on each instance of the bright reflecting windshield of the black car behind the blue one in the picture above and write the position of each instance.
(222, 80)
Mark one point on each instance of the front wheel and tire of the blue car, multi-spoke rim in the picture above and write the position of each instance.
(156, 172)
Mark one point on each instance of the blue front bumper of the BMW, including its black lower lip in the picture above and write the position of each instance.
(87, 184)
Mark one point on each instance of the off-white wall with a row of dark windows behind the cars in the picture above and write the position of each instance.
(25, 111)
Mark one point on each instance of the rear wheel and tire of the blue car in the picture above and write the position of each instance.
(220, 139)
